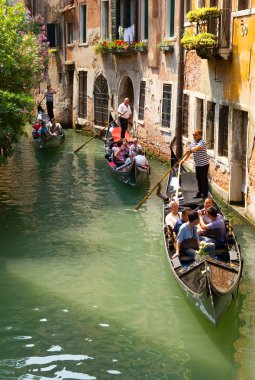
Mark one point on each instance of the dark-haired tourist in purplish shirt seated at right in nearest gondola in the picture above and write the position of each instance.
(215, 231)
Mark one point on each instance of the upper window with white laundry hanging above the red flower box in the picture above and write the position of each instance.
(124, 20)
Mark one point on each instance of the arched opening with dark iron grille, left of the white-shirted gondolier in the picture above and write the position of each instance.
(101, 100)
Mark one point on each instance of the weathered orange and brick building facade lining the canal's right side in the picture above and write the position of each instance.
(172, 91)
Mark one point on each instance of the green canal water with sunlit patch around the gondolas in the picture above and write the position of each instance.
(85, 287)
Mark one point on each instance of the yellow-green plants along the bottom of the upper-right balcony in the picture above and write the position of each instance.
(201, 40)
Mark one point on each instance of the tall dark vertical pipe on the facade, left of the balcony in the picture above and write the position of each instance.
(180, 84)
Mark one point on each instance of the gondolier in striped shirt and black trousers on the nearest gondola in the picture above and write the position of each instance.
(199, 151)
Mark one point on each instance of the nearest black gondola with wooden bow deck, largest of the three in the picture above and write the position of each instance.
(211, 283)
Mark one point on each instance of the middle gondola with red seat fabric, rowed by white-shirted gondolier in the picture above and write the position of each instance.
(131, 173)
